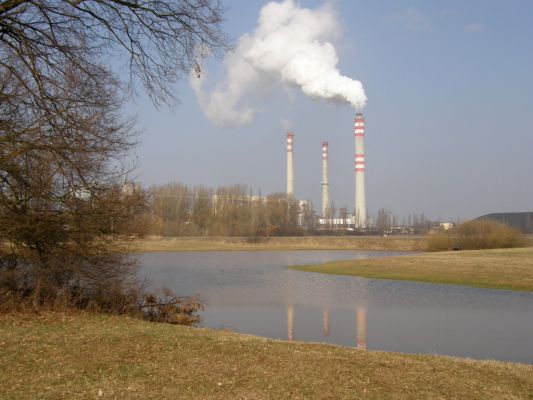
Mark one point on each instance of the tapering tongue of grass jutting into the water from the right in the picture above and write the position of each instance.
(499, 269)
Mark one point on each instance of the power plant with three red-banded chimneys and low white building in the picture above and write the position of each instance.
(359, 219)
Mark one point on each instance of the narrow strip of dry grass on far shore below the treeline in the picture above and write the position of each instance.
(414, 243)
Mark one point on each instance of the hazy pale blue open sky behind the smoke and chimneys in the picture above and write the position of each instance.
(449, 118)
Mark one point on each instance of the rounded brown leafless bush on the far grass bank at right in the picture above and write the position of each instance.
(478, 234)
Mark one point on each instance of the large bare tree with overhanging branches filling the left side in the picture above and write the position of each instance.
(64, 200)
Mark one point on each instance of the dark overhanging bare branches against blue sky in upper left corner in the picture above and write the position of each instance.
(161, 39)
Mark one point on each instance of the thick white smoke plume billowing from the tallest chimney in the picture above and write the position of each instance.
(289, 44)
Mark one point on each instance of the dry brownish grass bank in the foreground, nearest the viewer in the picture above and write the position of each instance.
(56, 356)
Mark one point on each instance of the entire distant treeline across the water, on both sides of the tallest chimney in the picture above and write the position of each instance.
(175, 209)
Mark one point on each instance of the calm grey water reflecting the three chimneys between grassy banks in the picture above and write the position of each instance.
(255, 293)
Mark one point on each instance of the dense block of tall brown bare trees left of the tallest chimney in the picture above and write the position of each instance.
(178, 210)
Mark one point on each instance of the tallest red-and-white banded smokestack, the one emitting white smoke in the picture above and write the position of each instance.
(360, 202)
